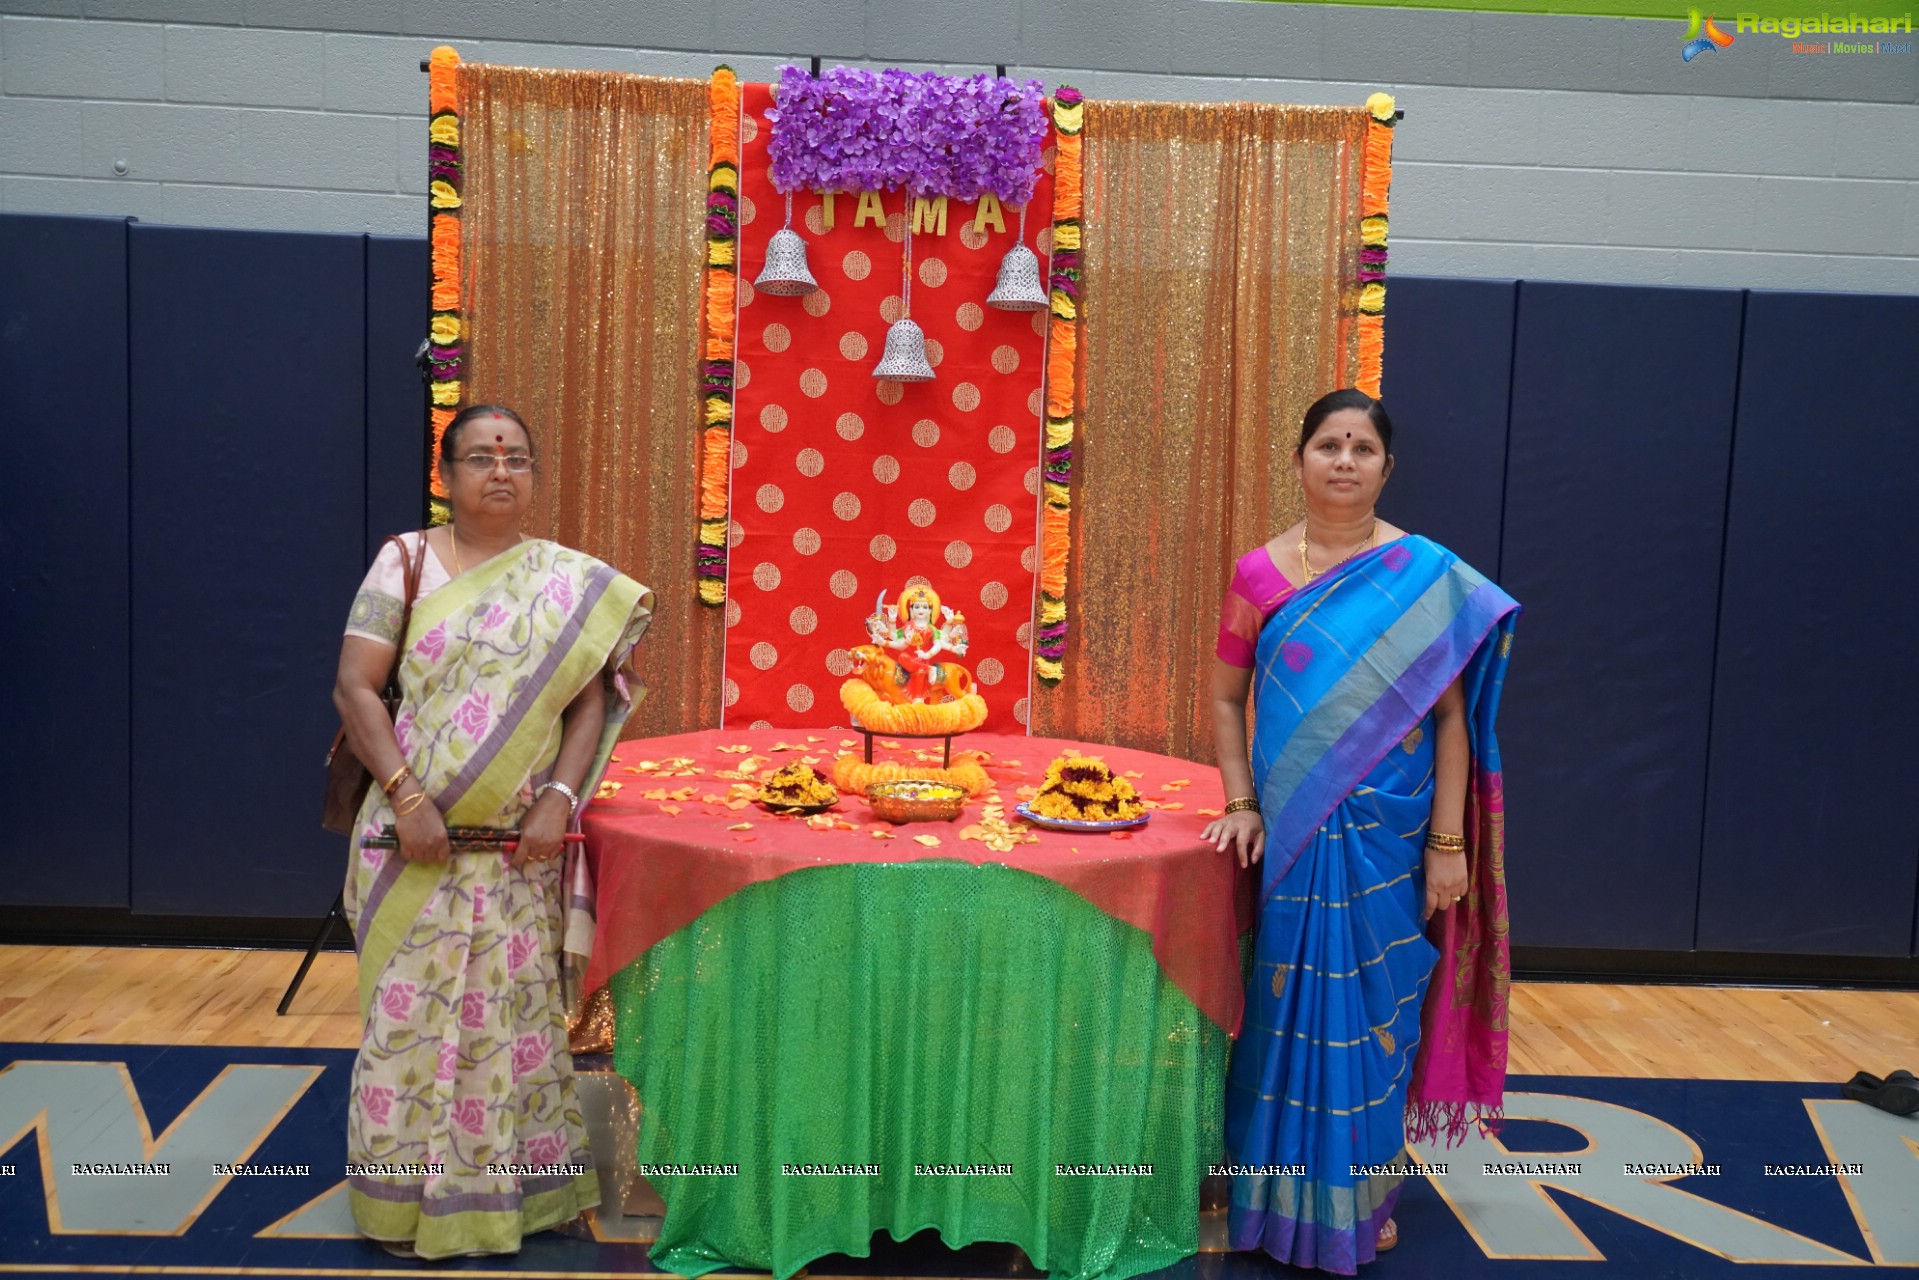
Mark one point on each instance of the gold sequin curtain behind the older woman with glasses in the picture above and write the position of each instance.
(582, 249)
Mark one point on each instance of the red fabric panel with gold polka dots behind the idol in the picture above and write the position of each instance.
(847, 486)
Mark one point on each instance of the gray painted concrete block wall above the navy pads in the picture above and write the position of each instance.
(1565, 149)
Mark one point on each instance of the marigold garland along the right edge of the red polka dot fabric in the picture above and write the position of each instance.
(1062, 346)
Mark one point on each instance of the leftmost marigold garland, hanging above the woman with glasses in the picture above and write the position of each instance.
(444, 343)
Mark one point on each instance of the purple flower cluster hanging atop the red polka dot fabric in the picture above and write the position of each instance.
(936, 135)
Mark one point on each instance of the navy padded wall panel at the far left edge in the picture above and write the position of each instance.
(64, 561)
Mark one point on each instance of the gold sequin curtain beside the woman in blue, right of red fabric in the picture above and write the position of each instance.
(1220, 254)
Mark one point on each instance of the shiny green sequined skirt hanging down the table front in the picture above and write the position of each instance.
(905, 1016)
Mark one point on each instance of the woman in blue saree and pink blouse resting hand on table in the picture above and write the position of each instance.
(1373, 794)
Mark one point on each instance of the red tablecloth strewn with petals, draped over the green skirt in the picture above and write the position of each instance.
(657, 870)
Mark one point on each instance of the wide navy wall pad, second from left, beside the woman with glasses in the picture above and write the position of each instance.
(249, 531)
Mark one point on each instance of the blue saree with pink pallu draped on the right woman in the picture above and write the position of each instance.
(1339, 1020)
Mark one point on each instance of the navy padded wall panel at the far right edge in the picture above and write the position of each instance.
(1812, 841)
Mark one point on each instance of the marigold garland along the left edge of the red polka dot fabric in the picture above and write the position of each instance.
(717, 354)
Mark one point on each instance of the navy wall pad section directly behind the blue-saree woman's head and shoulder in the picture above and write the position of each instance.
(1448, 377)
